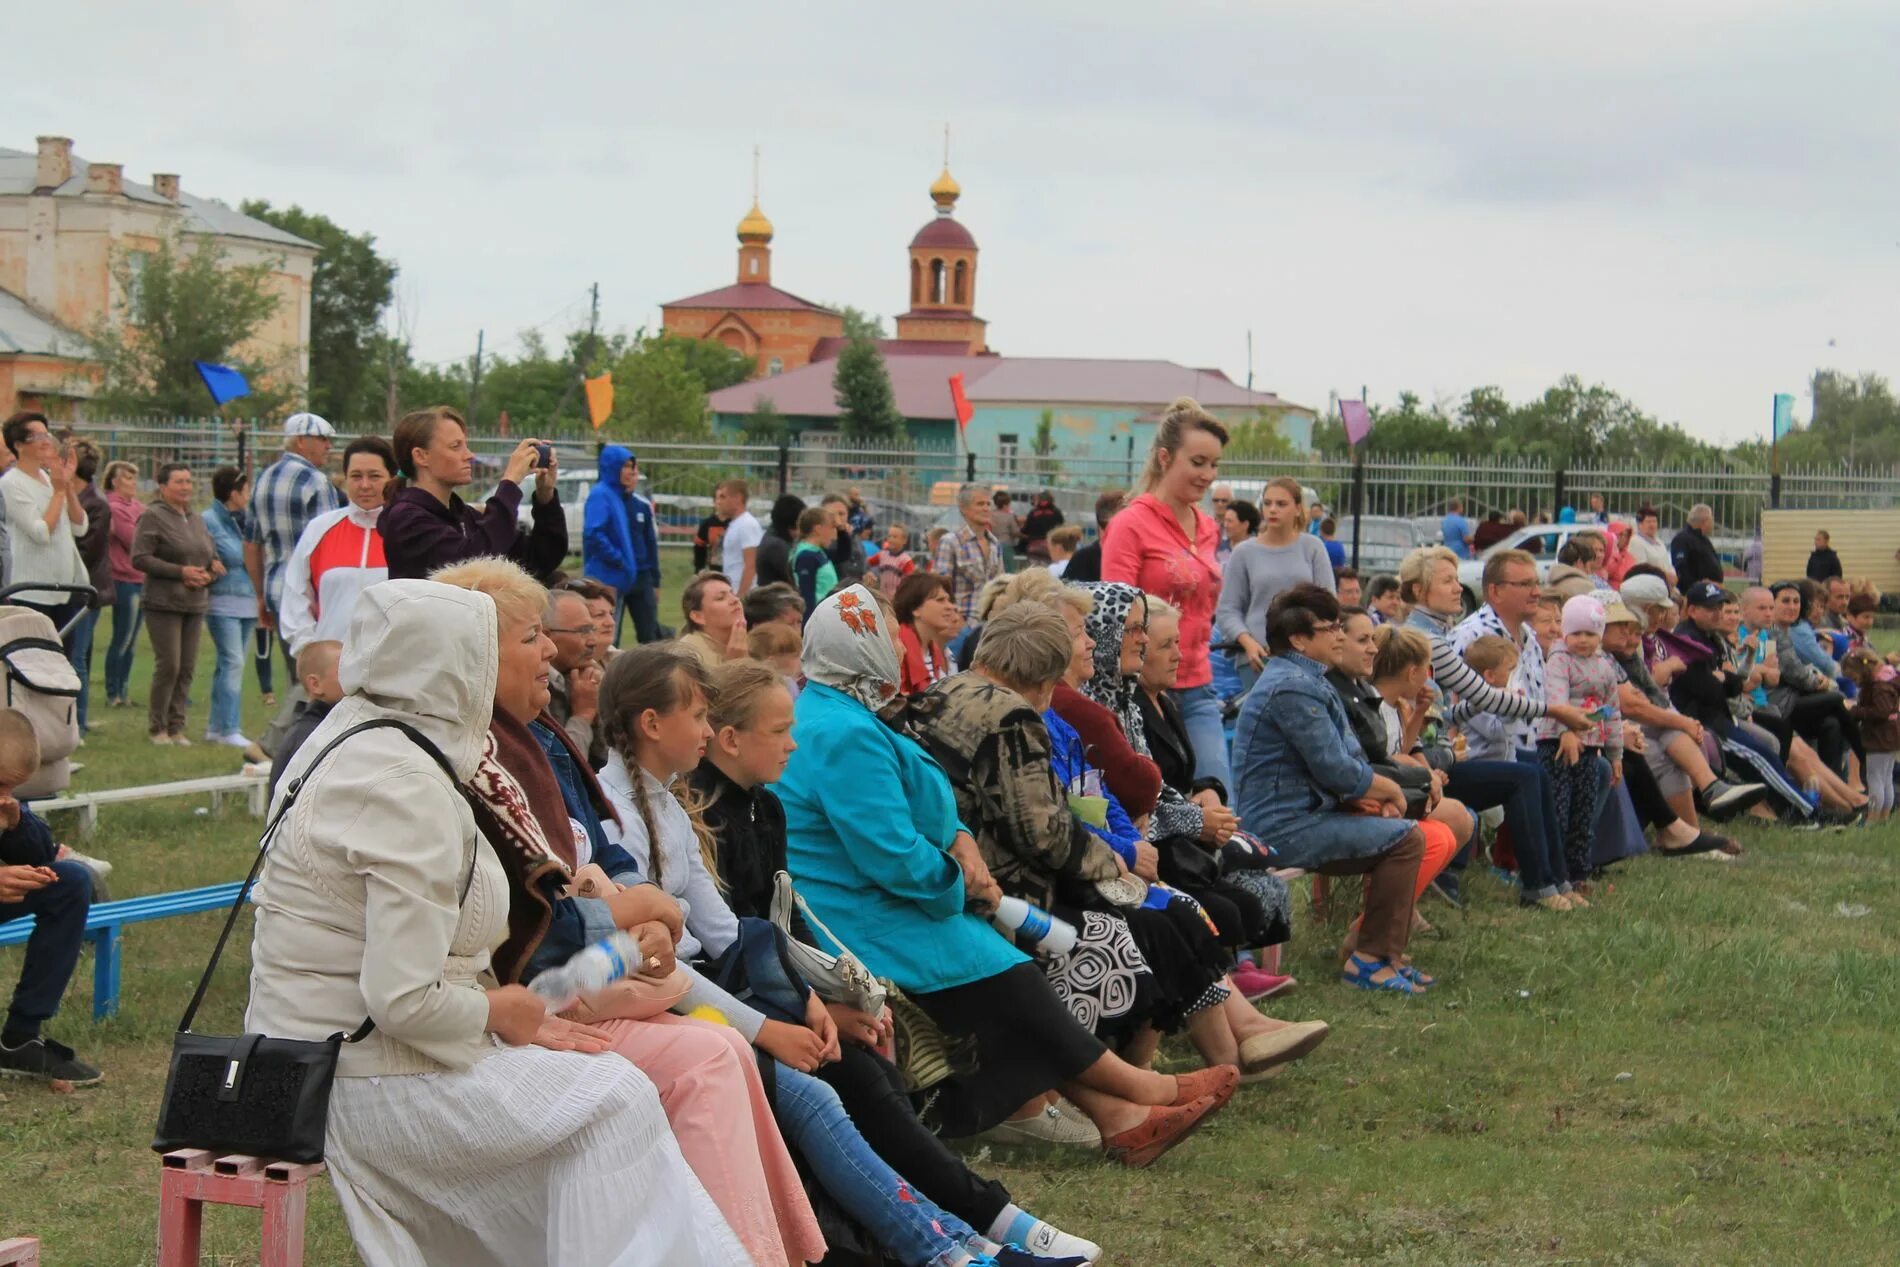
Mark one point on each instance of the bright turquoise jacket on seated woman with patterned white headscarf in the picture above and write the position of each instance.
(869, 822)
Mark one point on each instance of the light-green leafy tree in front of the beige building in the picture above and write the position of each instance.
(183, 303)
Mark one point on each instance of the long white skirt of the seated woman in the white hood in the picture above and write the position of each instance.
(533, 1158)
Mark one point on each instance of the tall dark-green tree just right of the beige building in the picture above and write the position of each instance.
(349, 293)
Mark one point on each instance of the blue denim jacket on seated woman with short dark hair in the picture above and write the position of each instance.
(1295, 755)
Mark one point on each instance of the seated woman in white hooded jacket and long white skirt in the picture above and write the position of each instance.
(455, 1133)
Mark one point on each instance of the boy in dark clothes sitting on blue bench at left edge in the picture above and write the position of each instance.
(58, 894)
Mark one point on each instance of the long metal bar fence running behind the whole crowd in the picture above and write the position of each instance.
(907, 476)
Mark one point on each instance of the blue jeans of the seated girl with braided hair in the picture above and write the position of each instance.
(902, 1219)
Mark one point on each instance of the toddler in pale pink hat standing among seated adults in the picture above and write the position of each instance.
(1584, 675)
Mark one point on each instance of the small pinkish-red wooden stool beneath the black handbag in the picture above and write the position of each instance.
(193, 1179)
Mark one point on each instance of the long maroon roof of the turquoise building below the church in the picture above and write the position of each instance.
(922, 385)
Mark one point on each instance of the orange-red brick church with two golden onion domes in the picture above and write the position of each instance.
(784, 331)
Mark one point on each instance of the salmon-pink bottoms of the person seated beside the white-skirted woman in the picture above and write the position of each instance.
(702, 1070)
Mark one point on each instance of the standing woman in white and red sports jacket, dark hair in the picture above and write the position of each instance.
(341, 554)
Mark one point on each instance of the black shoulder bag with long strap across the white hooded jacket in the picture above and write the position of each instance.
(254, 1093)
